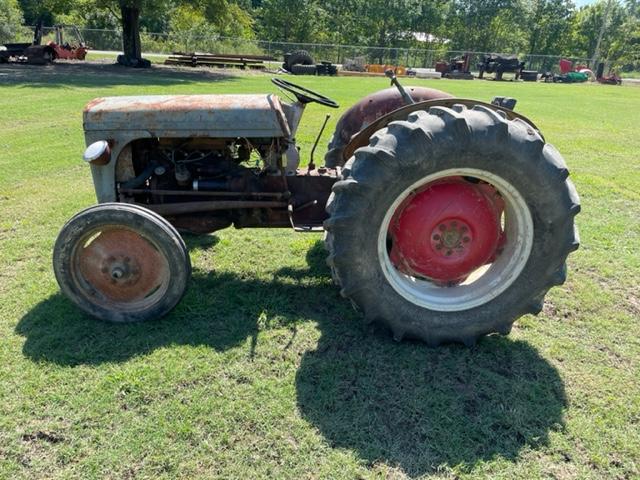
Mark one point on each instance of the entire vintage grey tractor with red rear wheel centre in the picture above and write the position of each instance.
(445, 219)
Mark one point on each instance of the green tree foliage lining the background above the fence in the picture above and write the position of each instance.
(610, 28)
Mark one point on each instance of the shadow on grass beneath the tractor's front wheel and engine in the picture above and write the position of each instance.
(220, 310)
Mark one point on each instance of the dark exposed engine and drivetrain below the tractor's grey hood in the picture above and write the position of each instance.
(247, 178)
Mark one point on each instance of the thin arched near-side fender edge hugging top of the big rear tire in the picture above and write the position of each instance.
(361, 138)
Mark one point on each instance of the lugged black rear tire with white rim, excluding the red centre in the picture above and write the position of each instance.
(508, 154)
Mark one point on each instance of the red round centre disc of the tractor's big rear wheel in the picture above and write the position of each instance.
(446, 230)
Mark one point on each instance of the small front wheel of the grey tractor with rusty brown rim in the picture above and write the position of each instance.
(121, 263)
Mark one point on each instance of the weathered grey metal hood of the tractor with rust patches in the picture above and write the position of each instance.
(221, 116)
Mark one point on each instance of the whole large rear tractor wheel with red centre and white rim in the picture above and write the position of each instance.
(455, 270)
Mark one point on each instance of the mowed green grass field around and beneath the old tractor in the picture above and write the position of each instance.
(263, 370)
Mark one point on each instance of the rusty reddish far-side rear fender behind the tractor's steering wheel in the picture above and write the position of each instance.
(367, 111)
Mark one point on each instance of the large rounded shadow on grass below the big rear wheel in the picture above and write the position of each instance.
(426, 410)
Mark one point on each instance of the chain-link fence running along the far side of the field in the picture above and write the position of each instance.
(425, 57)
